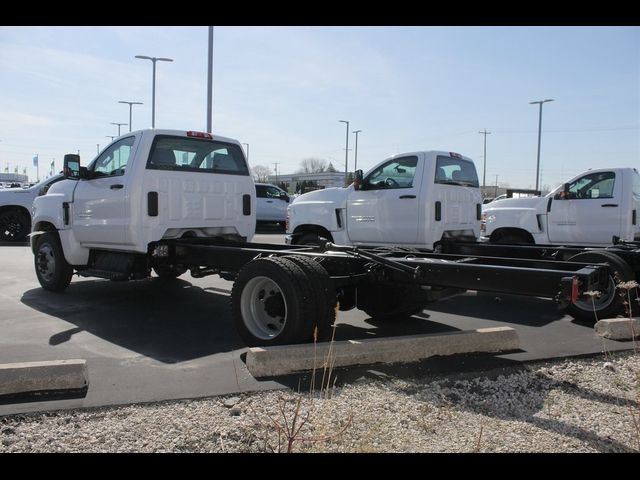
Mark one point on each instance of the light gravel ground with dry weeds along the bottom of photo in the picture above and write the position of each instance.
(574, 405)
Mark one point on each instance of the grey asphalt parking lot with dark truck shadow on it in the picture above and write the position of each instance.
(150, 341)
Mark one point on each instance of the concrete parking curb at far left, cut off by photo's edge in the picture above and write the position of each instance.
(28, 377)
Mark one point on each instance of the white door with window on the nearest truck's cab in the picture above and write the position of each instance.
(99, 214)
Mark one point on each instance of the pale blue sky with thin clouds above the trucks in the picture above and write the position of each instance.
(283, 90)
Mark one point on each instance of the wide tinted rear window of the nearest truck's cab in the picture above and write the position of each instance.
(196, 155)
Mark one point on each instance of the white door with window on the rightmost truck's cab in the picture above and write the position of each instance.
(591, 213)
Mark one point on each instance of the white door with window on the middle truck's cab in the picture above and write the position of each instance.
(387, 209)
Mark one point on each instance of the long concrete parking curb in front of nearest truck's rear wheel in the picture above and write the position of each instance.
(284, 359)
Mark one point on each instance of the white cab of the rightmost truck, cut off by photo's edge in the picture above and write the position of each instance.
(589, 210)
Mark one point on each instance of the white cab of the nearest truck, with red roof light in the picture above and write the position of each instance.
(146, 186)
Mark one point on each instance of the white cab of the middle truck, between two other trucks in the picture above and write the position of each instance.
(411, 200)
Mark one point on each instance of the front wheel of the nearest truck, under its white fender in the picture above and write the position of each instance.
(52, 269)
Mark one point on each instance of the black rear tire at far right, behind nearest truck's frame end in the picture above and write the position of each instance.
(611, 301)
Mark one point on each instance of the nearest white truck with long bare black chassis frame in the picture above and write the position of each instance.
(170, 201)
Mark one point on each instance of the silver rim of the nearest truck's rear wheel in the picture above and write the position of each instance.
(257, 304)
